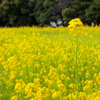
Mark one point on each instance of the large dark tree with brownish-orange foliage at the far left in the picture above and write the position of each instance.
(17, 12)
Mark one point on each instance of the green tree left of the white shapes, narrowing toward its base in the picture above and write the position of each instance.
(43, 12)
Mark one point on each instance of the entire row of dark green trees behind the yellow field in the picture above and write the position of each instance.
(41, 12)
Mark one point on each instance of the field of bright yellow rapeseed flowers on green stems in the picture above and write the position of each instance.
(50, 63)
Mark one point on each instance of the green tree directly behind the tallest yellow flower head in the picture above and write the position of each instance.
(76, 9)
